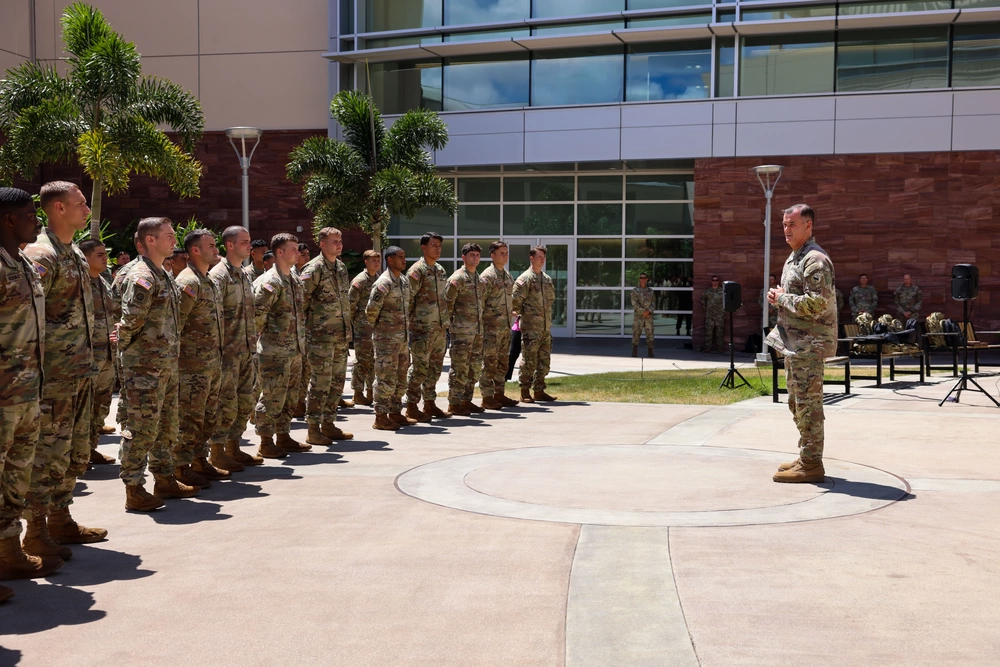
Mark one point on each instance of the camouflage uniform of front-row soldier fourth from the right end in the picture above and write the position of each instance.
(427, 326)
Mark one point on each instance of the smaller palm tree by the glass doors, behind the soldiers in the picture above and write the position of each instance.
(374, 173)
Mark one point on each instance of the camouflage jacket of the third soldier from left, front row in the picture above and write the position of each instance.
(149, 331)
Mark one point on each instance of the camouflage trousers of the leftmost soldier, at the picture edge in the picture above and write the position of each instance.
(19, 429)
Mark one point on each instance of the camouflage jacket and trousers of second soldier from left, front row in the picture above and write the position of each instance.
(63, 449)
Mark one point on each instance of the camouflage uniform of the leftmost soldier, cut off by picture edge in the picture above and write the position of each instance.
(22, 339)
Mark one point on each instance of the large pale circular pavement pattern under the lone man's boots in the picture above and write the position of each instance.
(646, 485)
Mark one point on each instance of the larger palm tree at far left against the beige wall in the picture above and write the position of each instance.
(103, 112)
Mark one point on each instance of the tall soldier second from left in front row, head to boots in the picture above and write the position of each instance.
(63, 449)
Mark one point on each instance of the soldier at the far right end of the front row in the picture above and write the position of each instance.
(532, 299)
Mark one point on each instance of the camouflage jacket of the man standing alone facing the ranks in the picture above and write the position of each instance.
(807, 310)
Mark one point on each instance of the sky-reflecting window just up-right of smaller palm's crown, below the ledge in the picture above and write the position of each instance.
(486, 83)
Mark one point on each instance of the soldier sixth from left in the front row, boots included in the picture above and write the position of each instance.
(280, 317)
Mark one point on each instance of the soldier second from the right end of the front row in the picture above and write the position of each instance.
(498, 318)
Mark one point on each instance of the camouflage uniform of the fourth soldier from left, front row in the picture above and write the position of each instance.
(199, 364)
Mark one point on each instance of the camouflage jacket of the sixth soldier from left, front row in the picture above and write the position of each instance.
(280, 315)
